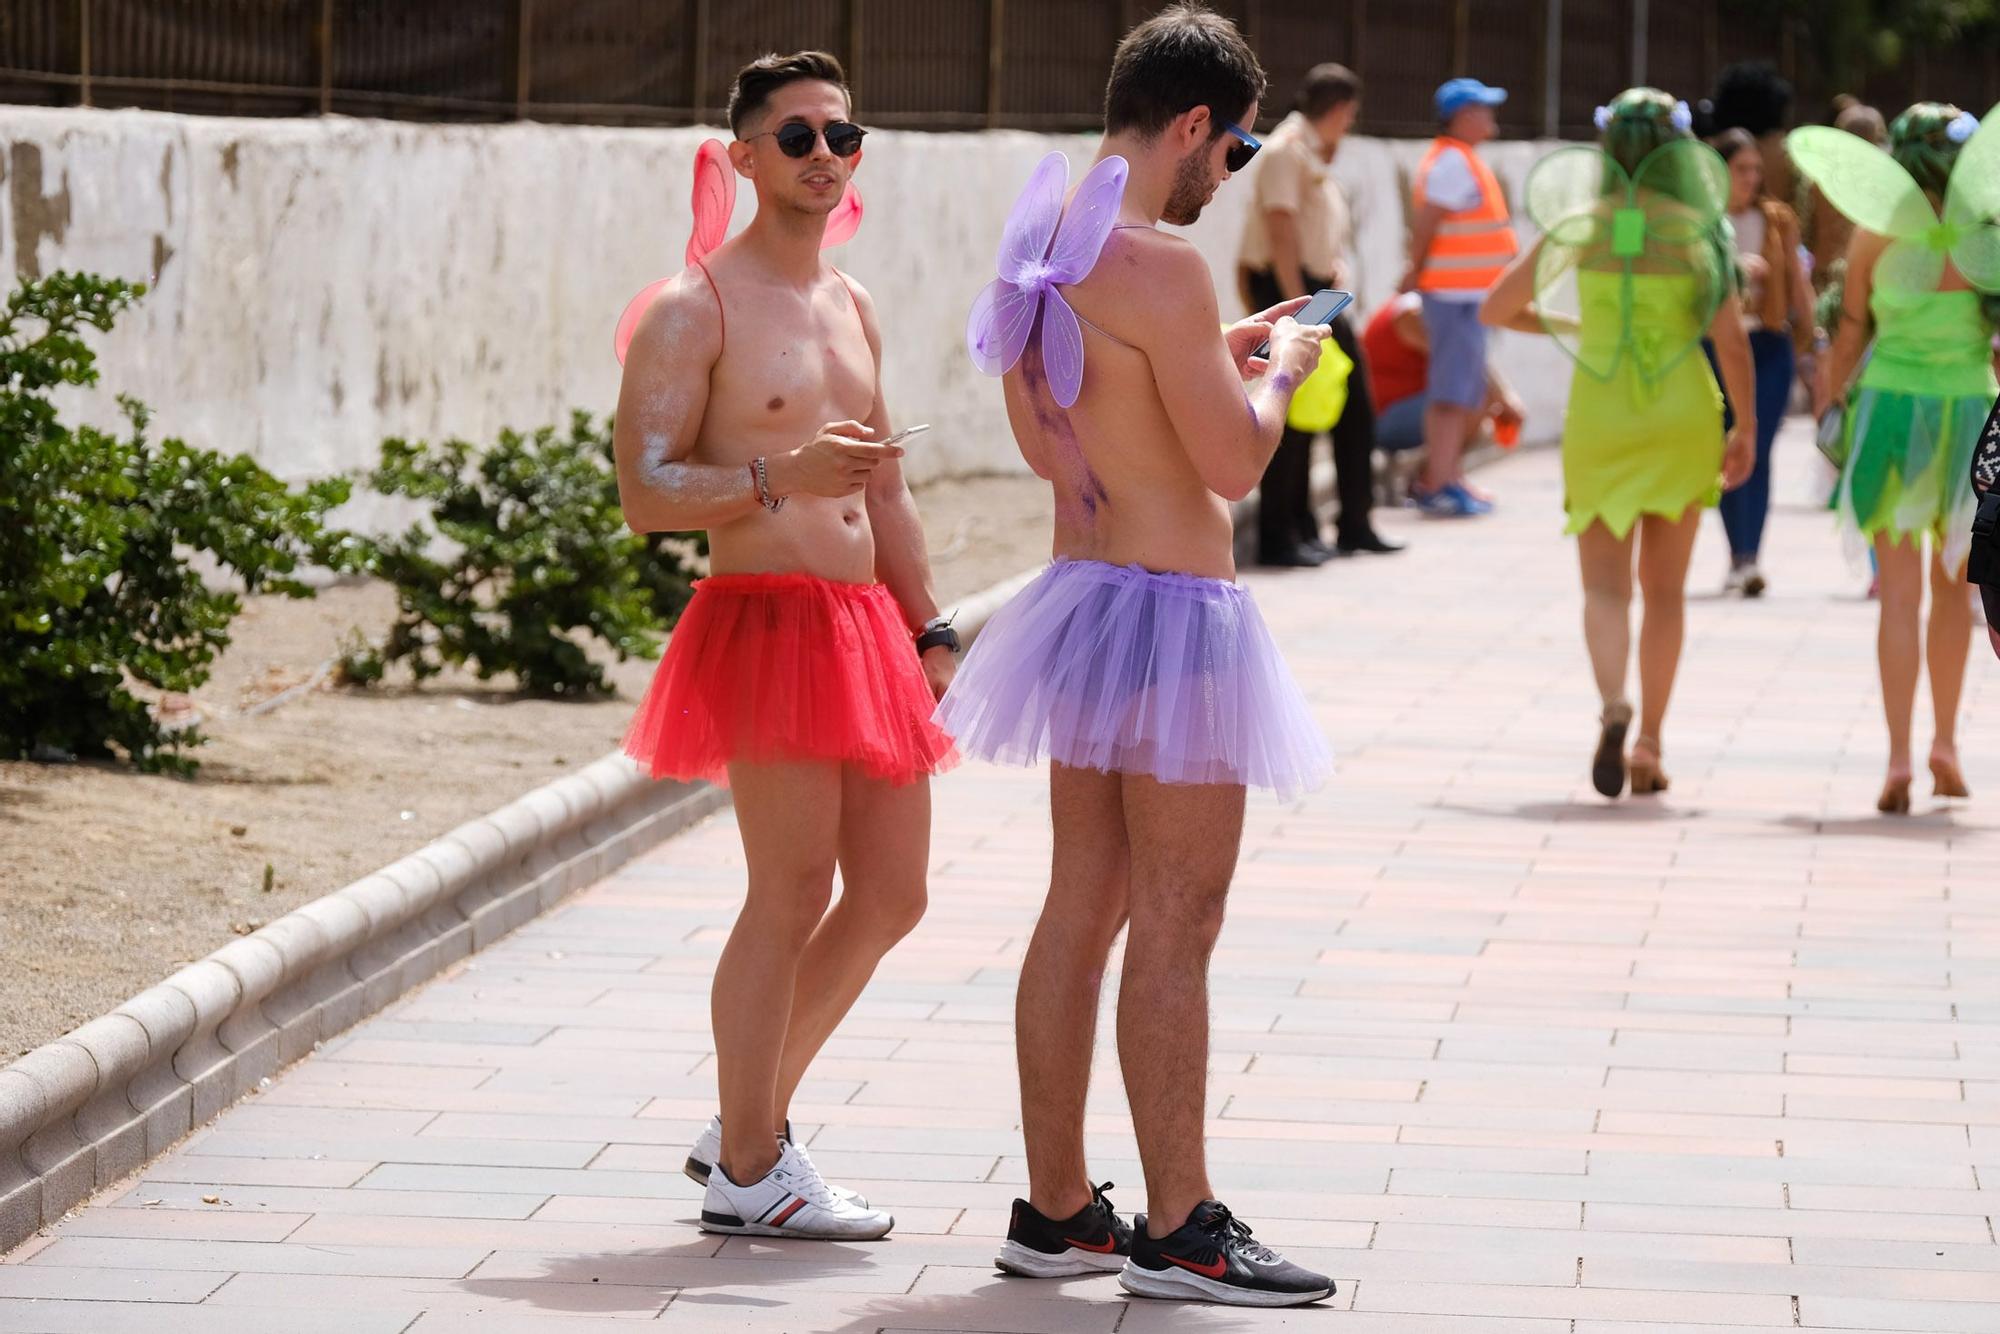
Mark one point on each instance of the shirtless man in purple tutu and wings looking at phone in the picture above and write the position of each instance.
(1137, 663)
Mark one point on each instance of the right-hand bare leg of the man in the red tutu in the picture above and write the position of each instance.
(885, 863)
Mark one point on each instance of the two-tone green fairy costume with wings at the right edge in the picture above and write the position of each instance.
(1923, 399)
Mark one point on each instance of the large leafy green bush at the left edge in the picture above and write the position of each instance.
(97, 555)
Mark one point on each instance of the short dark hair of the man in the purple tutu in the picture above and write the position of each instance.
(1183, 57)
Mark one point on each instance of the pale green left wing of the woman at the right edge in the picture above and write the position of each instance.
(1875, 193)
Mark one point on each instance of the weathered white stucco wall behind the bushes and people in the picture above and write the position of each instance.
(327, 283)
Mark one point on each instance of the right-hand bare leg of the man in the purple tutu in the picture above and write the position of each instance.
(1185, 841)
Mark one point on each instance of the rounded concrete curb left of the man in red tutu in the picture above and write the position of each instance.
(97, 1105)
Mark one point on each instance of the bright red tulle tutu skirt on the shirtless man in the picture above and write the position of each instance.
(789, 667)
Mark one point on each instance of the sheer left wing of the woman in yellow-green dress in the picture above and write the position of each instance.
(1569, 195)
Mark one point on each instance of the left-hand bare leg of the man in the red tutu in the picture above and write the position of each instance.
(791, 825)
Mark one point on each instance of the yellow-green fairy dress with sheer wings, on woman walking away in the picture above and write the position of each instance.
(1631, 273)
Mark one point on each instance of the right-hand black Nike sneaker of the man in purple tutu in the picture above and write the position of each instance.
(1213, 1259)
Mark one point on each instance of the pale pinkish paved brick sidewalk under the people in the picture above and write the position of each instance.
(1497, 1055)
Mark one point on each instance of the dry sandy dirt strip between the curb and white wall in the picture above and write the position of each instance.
(109, 881)
